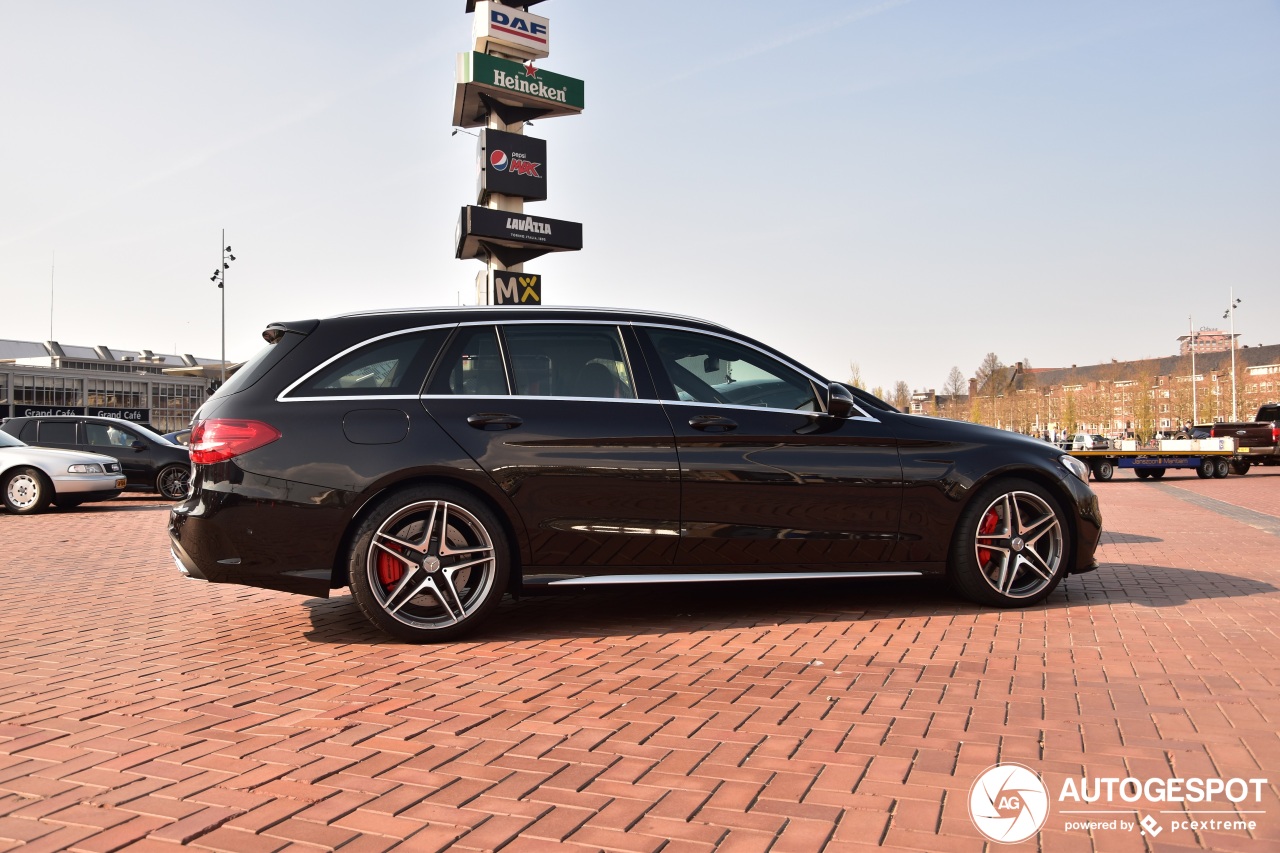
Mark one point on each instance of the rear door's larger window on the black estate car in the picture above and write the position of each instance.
(568, 362)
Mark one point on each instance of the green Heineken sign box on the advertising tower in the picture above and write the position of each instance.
(527, 90)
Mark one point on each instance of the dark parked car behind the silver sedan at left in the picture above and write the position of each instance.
(150, 462)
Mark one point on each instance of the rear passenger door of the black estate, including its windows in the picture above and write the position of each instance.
(559, 418)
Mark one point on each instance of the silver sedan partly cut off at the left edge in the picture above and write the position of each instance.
(31, 478)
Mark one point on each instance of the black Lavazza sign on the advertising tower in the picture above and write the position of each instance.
(513, 238)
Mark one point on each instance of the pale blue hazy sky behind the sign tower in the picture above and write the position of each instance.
(906, 185)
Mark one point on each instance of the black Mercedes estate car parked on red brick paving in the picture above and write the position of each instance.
(433, 460)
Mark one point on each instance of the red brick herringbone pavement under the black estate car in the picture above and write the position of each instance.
(143, 711)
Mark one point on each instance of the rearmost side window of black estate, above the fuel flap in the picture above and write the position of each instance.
(388, 367)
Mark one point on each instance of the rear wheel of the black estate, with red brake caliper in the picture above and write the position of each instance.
(429, 564)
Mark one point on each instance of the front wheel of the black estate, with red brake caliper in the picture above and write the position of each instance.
(1007, 564)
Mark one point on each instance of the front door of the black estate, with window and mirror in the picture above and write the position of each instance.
(766, 478)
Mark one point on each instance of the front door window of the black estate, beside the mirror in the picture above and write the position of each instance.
(703, 368)
